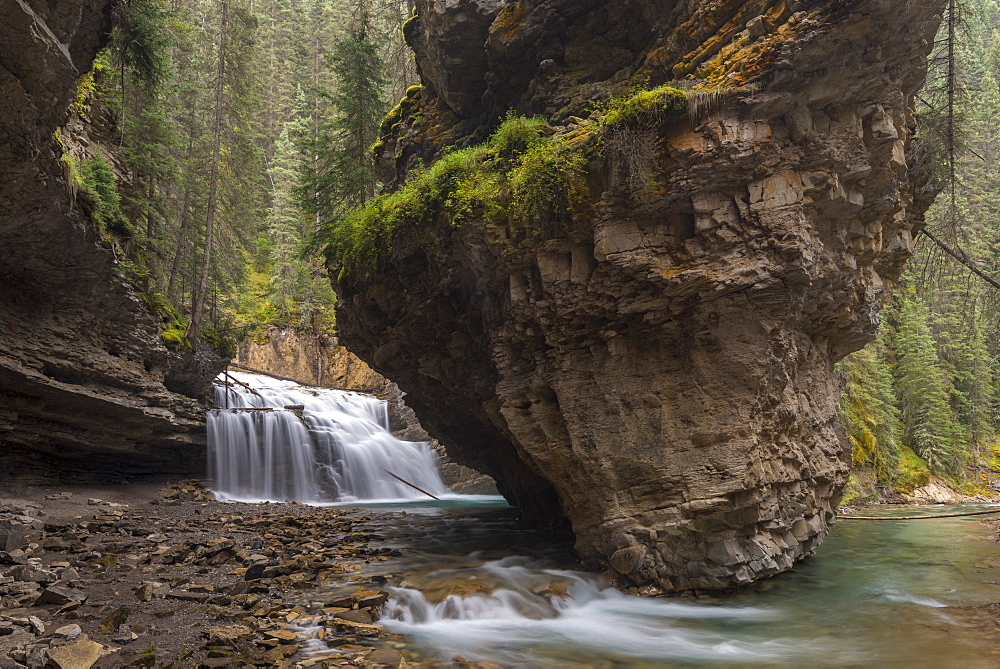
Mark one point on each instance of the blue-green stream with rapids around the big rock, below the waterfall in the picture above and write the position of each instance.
(903, 593)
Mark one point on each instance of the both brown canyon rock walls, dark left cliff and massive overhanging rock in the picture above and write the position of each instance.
(655, 376)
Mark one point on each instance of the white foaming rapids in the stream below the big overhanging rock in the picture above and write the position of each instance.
(530, 614)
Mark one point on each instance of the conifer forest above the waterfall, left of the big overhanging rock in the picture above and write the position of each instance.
(226, 133)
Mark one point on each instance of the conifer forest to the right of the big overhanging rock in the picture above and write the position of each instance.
(922, 400)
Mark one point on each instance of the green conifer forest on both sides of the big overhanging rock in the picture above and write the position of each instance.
(229, 137)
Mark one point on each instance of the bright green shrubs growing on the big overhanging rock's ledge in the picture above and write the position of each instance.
(521, 175)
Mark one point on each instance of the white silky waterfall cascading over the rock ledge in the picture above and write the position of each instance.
(340, 450)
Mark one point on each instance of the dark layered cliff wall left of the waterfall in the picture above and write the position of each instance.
(85, 378)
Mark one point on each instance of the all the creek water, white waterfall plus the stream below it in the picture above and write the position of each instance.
(475, 584)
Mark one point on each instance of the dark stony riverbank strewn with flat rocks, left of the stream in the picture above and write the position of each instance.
(163, 575)
